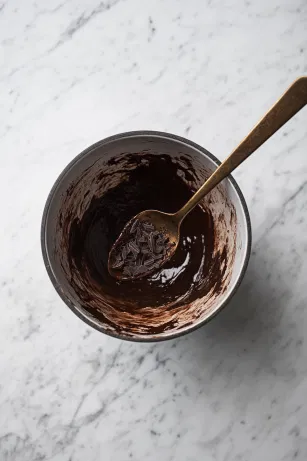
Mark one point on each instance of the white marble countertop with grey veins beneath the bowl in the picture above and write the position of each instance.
(74, 72)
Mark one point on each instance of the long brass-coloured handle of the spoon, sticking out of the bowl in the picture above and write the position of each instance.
(286, 107)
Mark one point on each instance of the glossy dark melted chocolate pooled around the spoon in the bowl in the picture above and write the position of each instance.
(193, 271)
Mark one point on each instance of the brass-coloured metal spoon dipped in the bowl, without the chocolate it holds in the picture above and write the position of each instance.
(294, 99)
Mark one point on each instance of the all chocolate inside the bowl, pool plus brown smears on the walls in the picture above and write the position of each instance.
(160, 301)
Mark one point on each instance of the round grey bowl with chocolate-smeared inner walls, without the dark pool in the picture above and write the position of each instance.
(97, 171)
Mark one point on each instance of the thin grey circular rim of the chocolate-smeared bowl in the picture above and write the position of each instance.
(57, 286)
